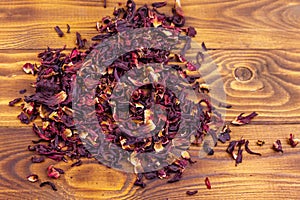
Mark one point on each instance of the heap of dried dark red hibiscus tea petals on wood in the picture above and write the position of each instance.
(54, 95)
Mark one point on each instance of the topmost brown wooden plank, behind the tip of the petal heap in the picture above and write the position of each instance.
(244, 24)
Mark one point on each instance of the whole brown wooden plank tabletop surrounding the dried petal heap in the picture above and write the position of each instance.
(259, 38)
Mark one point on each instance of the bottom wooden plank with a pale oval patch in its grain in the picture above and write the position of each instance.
(273, 175)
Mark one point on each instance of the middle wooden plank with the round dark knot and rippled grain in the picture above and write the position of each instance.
(266, 81)
